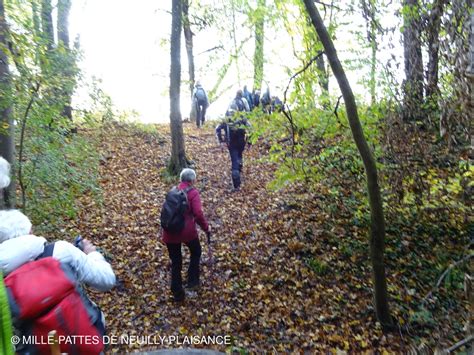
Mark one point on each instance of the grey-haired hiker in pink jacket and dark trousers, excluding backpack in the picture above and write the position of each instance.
(189, 236)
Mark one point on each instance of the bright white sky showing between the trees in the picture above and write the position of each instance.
(124, 45)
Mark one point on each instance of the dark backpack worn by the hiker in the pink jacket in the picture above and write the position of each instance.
(172, 212)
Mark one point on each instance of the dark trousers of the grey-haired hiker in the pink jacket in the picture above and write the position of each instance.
(176, 257)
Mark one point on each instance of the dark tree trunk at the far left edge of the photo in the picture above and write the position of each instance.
(7, 144)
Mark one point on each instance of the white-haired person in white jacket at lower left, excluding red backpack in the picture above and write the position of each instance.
(18, 246)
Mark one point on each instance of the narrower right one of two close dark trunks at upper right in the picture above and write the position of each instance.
(434, 25)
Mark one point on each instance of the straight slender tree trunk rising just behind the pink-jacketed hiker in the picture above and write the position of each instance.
(178, 159)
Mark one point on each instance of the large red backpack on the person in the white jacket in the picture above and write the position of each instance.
(44, 295)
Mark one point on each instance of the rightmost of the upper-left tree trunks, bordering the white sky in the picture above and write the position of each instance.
(64, 7)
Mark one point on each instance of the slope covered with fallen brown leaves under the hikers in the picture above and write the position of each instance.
(280, 282)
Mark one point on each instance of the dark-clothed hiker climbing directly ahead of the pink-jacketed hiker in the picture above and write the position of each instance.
(235, 139)
